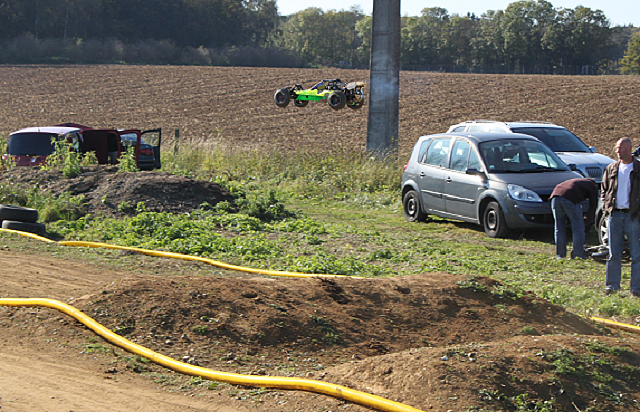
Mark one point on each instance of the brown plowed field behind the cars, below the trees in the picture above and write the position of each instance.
(236, 104)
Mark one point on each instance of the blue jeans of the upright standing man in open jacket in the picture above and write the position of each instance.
(620, 224)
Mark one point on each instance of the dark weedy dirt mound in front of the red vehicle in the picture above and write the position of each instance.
(116, 193)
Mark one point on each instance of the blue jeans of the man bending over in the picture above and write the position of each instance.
(564, 209)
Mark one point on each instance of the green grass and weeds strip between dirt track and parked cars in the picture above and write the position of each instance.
(336, 213)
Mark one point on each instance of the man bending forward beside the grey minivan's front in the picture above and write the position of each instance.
(566, 203)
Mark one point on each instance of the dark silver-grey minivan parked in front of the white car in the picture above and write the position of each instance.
(501, 181)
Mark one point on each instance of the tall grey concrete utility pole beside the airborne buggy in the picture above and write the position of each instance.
(384, 78)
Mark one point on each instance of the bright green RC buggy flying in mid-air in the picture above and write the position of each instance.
(337, 94)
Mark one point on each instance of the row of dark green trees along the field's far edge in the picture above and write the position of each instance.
(529, 36)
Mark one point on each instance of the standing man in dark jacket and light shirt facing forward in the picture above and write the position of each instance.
(620, 194)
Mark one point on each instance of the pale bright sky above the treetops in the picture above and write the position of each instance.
(619, 12)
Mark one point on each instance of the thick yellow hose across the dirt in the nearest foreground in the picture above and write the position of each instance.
(308, 385)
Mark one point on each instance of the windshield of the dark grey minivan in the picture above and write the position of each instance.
(519, 156)
